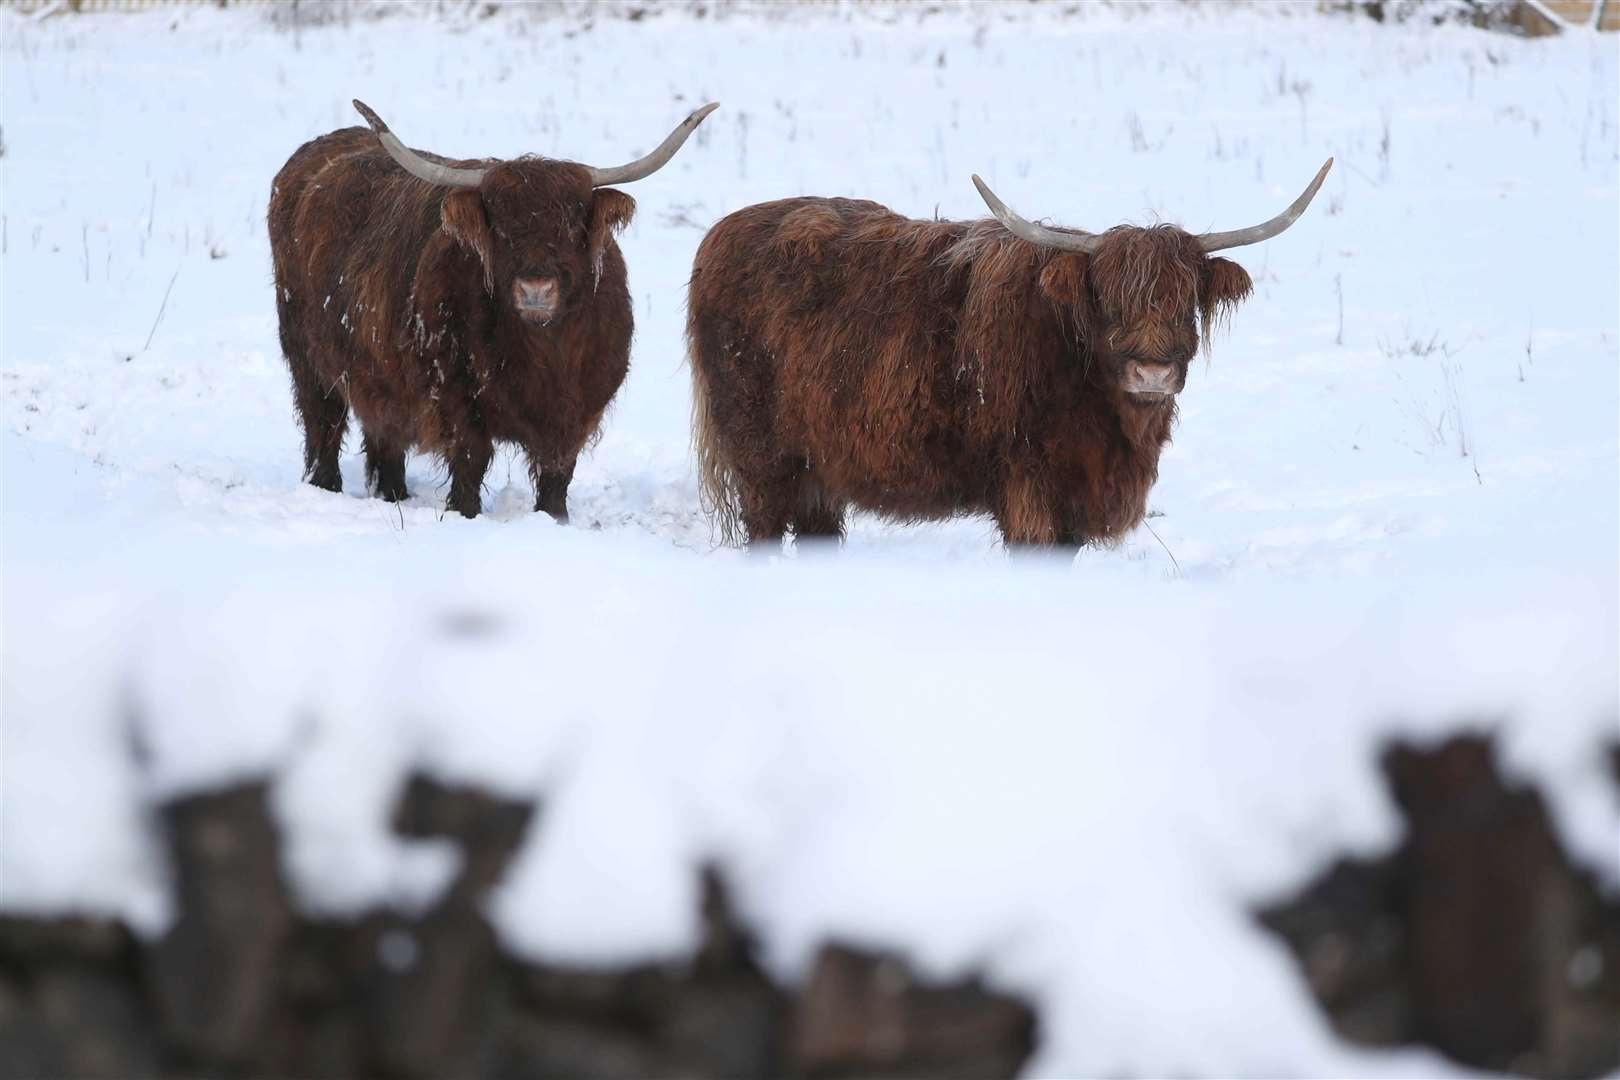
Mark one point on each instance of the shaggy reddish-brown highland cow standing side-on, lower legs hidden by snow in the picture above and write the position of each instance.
(848, 357)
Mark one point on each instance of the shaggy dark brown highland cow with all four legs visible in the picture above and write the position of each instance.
(453, 305)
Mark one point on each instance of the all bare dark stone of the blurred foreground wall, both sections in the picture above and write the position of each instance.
(1475, 937)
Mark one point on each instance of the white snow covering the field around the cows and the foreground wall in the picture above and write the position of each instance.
(1391, 506)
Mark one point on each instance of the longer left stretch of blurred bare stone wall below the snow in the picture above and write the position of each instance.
(244, 985)
